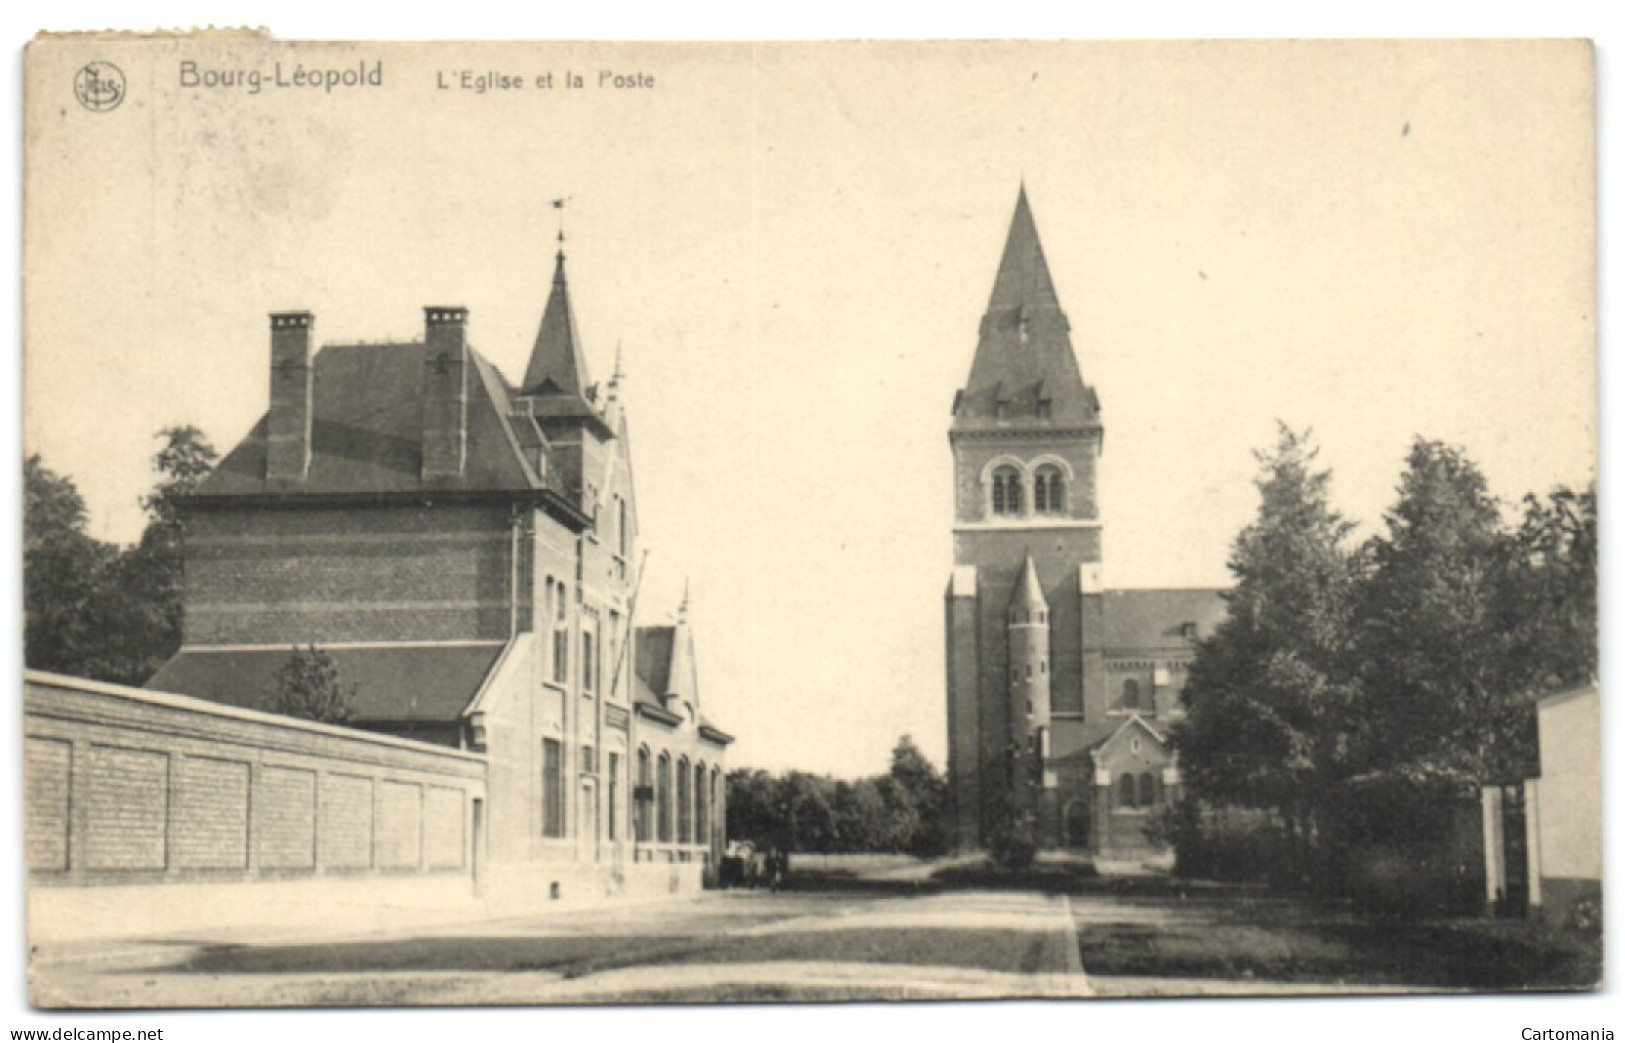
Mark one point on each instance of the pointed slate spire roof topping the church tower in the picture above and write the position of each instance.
(1025, 355)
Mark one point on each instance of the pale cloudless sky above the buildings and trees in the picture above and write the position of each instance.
(792, 248)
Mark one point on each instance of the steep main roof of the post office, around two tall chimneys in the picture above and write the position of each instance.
(366, 431)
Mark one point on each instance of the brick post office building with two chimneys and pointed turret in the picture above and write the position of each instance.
(467, 552)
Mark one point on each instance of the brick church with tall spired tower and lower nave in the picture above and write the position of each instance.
(1060, 691)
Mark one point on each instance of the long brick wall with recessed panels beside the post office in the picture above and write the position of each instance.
(126, 785)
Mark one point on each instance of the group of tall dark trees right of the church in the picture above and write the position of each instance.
(1402, 665)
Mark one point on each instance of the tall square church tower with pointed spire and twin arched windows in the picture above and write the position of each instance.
(1025, 605)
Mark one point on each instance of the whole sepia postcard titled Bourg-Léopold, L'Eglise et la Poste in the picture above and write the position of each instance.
(555, 524)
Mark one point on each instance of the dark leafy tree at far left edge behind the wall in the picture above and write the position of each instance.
(64, 571)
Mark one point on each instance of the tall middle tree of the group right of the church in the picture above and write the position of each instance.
(1437, 652)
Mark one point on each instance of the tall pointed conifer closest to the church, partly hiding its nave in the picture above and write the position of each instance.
(1270, 695)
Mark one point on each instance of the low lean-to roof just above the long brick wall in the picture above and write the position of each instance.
(405, 683)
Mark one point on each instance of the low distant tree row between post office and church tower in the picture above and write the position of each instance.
(899, 811)
